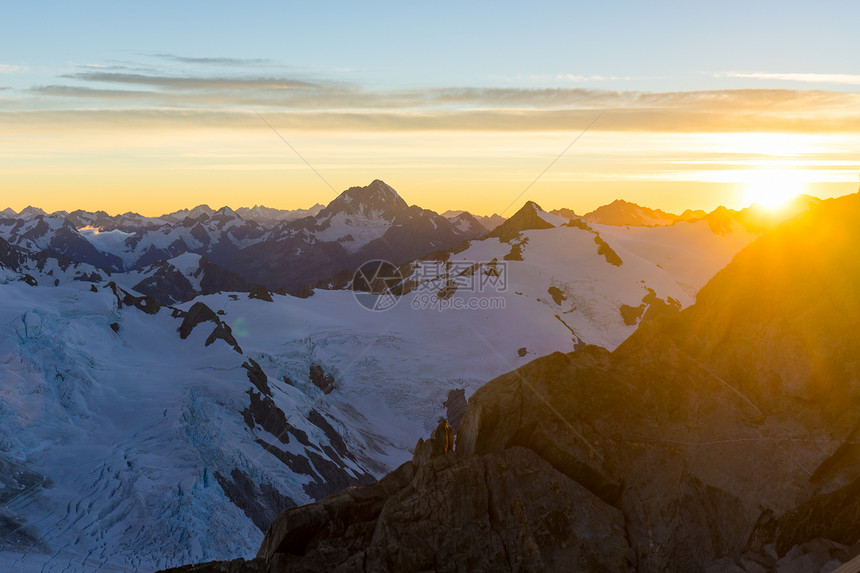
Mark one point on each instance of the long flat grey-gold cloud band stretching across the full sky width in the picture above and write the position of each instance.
(473, 120)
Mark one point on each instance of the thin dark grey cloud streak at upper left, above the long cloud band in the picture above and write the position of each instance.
(190, 82)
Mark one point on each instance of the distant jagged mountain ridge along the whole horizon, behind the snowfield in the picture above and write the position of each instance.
(290, 250)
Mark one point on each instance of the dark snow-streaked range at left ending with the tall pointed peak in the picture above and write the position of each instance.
(288, 250)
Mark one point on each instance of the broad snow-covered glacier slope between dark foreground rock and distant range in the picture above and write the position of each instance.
(137, 436)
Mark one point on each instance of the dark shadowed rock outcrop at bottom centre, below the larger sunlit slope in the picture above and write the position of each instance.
(505, 511)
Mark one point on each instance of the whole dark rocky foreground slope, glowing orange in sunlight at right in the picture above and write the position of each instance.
(725, 437)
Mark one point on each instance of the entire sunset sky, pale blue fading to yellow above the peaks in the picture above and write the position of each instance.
(152, 107)
